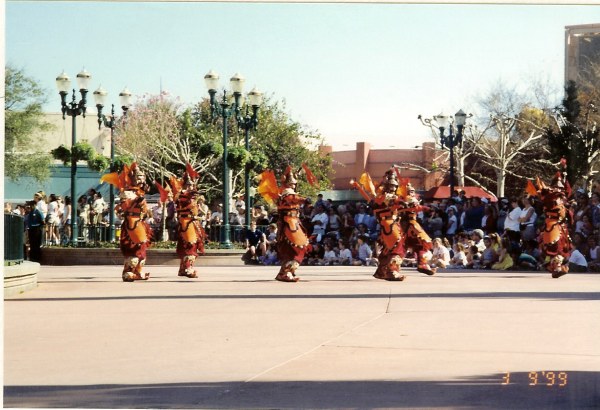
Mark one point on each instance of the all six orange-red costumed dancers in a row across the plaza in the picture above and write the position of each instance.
(394, 203)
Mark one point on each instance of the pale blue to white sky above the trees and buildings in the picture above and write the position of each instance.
(351, 72)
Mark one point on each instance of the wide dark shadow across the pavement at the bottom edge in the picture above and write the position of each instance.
(572, 390)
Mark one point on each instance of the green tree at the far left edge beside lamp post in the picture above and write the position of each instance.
(24, 120)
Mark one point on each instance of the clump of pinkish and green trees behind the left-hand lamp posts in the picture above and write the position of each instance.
(162, 137)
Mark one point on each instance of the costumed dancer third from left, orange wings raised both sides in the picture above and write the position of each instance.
(292, 241)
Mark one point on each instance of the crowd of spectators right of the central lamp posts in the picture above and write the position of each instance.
(467, 233)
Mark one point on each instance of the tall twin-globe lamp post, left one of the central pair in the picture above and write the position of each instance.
(222, 109)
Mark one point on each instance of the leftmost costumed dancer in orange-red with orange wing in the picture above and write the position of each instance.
(135, 231)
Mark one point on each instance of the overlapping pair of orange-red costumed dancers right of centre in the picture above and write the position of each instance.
(395, 206)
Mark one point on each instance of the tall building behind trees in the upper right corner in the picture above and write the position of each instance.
(582, 46)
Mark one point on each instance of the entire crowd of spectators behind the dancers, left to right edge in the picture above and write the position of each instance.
(467, 232)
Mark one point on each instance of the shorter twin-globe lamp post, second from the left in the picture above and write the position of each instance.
(100, 98)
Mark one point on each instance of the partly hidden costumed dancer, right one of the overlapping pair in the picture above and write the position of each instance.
(415, 237)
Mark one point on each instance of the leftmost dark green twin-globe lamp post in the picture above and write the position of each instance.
(73, 109)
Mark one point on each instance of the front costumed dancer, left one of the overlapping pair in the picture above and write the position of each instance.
(385, 203)
